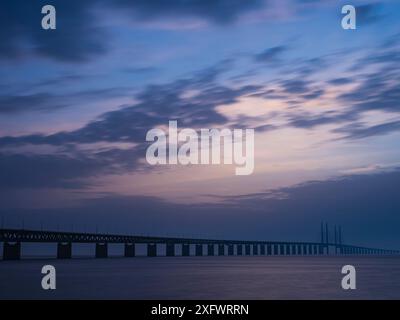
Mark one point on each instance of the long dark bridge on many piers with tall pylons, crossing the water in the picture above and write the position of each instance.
(12, 239)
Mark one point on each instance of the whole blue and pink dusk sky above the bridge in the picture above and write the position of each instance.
(76, 104)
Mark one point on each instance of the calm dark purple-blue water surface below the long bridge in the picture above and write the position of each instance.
(203, 278)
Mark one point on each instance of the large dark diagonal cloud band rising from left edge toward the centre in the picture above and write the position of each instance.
(155, 106)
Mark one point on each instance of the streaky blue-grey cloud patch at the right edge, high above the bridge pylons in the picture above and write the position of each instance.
(377, 88)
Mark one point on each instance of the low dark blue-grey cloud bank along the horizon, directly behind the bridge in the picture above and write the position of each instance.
(365, 205)
